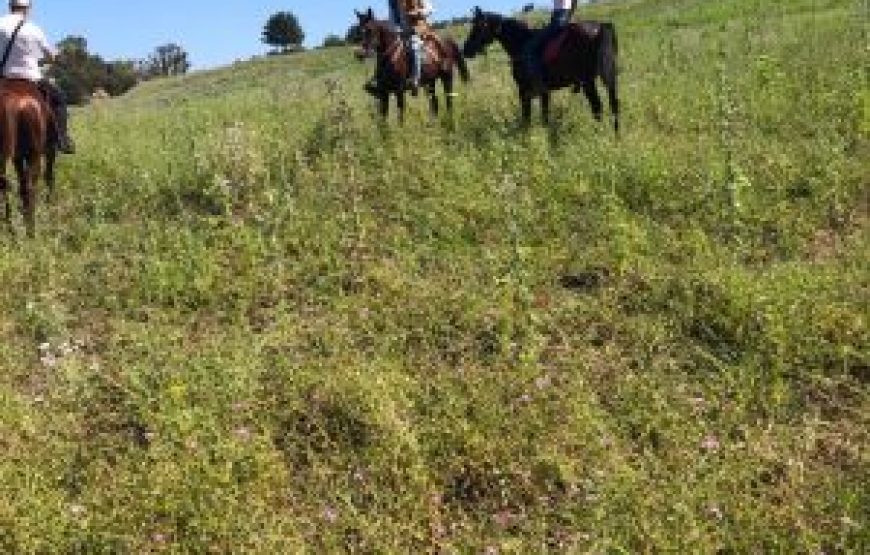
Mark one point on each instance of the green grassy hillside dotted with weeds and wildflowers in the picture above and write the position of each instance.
(257, 321)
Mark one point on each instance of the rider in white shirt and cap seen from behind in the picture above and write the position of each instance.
(29, 48)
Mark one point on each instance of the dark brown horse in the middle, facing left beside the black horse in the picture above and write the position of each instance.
(441, 58)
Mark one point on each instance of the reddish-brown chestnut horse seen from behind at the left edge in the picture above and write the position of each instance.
(26, 124)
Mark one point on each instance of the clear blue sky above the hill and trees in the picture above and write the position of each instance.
(214, 32)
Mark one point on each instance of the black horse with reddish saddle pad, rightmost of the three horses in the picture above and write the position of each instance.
(583, 52)
